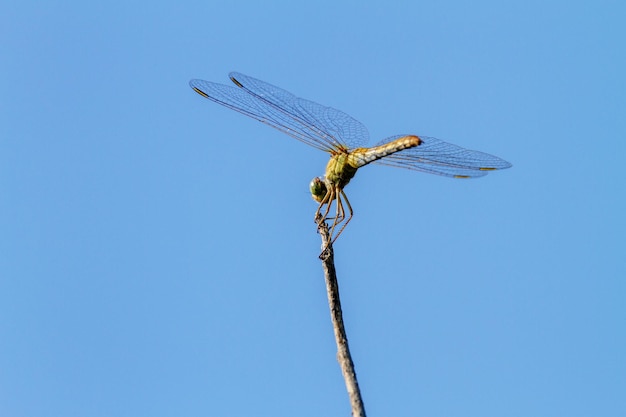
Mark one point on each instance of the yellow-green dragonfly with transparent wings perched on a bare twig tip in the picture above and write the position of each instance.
(345, 139)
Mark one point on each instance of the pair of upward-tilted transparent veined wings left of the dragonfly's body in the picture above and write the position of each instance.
(322, 127)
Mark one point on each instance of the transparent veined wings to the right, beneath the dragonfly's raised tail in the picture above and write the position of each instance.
(438, 157)
